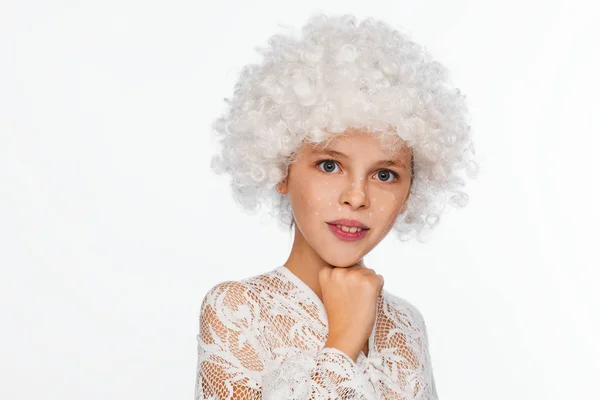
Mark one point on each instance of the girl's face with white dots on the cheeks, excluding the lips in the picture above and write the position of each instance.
(350, 177)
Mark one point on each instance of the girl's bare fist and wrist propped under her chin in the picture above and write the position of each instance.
(350, 299)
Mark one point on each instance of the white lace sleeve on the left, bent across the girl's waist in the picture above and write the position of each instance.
(233, 365)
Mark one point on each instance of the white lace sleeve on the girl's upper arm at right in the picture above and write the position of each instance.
(404, 369)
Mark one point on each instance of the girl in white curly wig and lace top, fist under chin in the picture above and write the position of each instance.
(348, 132)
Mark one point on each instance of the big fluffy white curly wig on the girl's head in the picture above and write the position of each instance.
(338, 74)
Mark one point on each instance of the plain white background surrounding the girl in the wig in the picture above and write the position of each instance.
(113, 227)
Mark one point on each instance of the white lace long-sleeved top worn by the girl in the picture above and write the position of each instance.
(262, 338)
